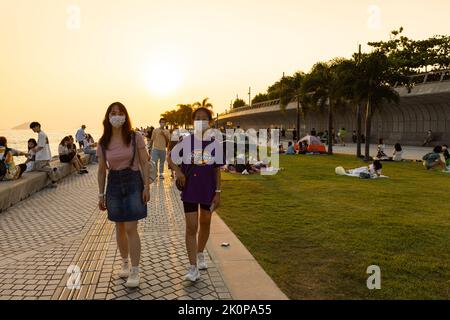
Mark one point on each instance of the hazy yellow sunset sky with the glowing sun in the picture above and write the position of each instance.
(63, 62)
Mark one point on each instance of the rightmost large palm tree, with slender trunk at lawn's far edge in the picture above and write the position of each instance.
(375, 76)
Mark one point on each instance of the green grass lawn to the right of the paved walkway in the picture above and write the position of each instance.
(316, 233)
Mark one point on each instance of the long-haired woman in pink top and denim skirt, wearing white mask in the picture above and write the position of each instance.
(122, 153)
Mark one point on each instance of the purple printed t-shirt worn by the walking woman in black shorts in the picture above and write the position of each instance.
(201, 182)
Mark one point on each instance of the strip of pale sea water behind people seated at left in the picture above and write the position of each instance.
(18, 139)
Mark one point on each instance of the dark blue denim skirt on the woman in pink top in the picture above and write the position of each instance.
(124, 196)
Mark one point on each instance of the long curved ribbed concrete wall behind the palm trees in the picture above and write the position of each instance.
(426, 107)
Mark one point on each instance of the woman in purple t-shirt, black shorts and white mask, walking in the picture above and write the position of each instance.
(199, 178)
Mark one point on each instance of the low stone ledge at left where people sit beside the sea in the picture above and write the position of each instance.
(12, 192)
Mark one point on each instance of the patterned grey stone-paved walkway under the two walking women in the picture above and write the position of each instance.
(45, 234)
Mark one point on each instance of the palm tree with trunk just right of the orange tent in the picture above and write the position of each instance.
(322, 87)
